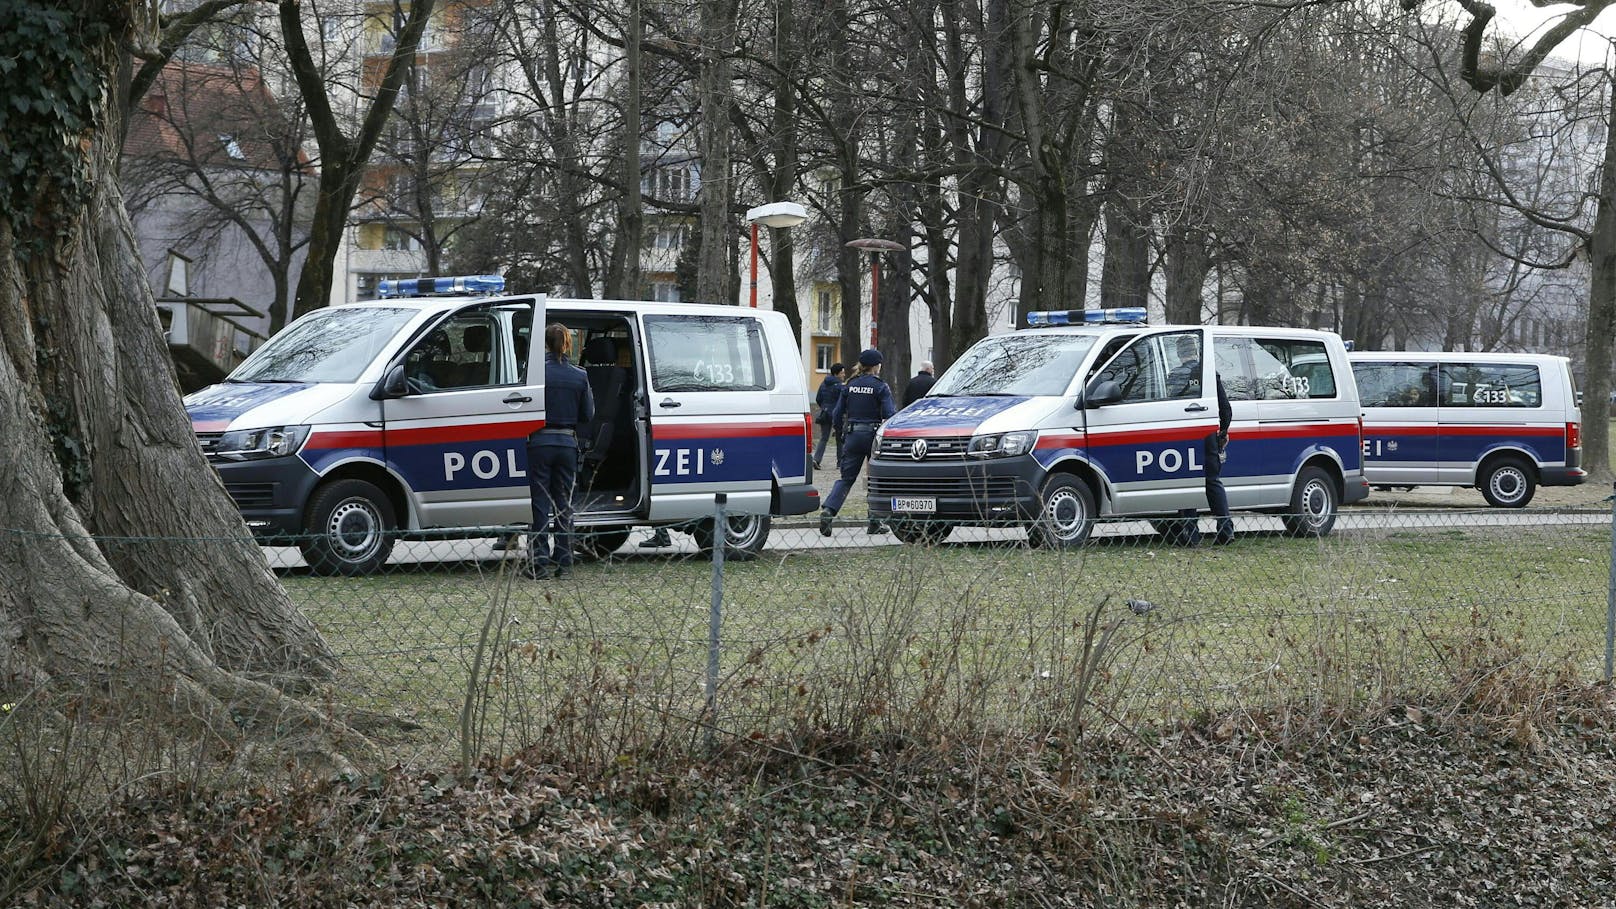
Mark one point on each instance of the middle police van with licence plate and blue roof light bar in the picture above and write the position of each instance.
(1095, 413)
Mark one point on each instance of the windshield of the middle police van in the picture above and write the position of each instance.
(1016, 365)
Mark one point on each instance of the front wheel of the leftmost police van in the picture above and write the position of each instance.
(351, 530)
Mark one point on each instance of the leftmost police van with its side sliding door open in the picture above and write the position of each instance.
(411, 415)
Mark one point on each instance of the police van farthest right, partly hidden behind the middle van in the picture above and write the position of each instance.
(1500, 423)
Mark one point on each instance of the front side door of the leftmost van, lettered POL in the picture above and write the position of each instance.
(457, 421)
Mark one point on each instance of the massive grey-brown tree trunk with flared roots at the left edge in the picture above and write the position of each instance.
(98, 444)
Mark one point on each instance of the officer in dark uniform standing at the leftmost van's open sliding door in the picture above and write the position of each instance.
(553, 455)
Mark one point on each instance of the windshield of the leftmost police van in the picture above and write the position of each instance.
(334, 345)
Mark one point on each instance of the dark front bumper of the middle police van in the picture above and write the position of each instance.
(985, 493)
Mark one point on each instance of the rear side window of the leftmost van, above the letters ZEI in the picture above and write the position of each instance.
(709, 353)
